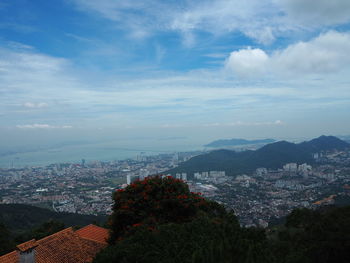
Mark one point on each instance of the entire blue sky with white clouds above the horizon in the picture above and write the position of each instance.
(73, 70)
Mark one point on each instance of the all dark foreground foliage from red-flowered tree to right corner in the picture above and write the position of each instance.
(160, 220)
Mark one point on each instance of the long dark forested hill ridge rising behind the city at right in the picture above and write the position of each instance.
(273, 156)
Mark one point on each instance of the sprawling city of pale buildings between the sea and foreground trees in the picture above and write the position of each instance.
(258, 199)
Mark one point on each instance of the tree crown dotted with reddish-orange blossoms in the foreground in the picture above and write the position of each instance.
(155, 201)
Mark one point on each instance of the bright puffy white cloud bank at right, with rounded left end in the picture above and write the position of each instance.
(325, 54)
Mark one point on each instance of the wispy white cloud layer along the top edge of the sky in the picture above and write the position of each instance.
(262, 21)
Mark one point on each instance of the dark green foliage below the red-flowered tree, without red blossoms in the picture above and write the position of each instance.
(202, 240)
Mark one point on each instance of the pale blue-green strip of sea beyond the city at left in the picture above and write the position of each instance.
(107, 151)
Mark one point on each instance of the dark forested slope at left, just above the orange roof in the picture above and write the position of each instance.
(19, 217)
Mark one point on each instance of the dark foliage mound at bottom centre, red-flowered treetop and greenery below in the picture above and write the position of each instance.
(160, 220)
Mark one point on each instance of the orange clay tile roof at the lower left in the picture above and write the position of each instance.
(65, 246)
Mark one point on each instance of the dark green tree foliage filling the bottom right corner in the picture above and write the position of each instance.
(320, 236)
